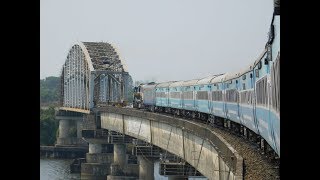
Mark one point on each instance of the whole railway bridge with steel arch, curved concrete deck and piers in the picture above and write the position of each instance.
(124, 143)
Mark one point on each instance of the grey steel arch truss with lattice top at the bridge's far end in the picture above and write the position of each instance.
(93, 74)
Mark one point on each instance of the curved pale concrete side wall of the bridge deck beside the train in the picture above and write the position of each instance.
(198, 144)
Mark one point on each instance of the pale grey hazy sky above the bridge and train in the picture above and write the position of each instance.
(160, 40)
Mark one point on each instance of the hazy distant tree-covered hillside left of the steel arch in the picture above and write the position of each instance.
(49, 91)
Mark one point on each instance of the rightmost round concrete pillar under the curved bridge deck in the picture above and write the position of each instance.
(146, 168)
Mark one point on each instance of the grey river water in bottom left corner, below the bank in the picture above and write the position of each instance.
(54, 169)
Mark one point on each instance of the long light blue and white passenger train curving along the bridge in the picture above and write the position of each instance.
(246, 101)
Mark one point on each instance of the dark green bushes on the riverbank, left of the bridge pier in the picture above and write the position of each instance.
(48, 126)
